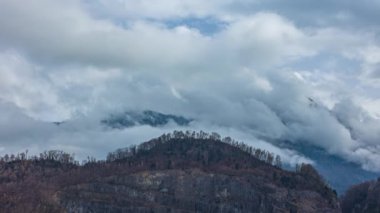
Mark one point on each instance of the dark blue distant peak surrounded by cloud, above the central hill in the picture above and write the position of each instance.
(147, 117)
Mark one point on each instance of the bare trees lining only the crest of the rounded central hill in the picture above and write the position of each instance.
(133, 150)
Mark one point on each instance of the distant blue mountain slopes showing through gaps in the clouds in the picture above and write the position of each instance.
(338, 172)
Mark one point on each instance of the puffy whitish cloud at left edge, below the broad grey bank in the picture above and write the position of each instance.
(21, 84)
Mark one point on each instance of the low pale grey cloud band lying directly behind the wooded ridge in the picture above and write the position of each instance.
(85, 136)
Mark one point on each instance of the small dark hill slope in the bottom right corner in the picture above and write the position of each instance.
(362, 198)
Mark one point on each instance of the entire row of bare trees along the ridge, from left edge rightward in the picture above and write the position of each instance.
(123, 153)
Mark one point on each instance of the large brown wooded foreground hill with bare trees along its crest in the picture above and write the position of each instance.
(179, 172)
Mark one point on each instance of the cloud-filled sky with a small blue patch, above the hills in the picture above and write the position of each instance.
(297, 70)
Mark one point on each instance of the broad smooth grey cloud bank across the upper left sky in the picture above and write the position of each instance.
(71, 35)
